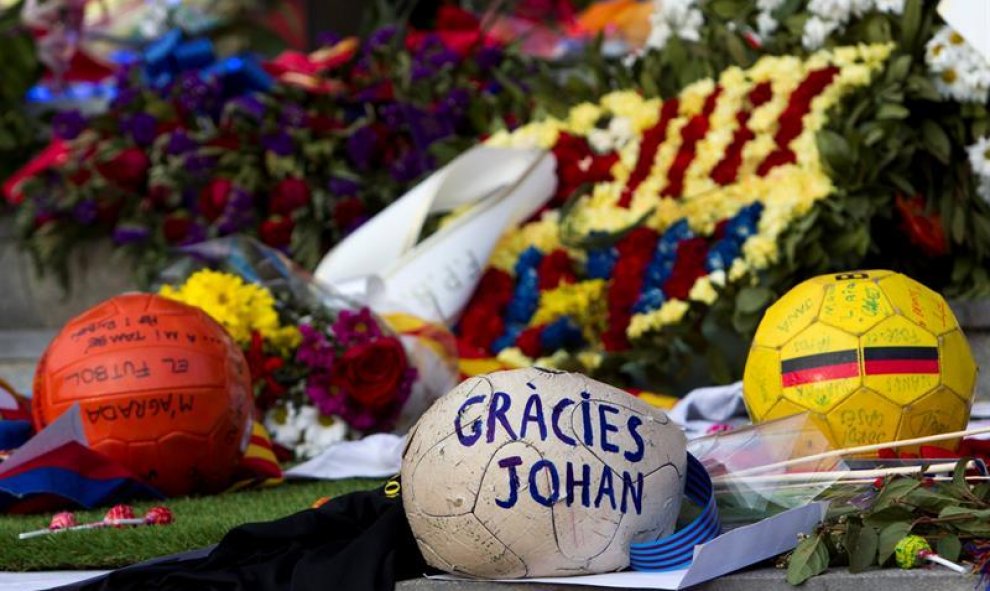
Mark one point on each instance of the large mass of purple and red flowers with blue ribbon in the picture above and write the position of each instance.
(297, 151)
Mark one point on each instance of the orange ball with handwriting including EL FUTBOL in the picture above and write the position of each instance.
(162, 389)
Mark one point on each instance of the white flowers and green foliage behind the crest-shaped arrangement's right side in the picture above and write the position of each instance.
(909, 161)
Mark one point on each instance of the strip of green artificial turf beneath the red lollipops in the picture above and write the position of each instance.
(199, 521)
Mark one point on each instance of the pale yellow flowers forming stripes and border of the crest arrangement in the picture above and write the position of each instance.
(787, 192)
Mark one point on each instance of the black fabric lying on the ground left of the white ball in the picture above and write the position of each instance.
(359, 542)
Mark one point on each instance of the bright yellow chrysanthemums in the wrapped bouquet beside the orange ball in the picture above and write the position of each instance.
(241, 308)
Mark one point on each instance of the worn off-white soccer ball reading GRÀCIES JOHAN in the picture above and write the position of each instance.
(531, 472)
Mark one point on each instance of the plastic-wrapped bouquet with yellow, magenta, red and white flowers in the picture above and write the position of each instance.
(323, 368)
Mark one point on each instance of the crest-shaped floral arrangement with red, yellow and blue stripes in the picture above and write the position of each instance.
(674, 220)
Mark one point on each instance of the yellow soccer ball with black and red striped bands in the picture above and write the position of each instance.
(872, 356)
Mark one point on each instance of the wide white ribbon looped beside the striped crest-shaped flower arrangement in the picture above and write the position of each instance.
(382, 263)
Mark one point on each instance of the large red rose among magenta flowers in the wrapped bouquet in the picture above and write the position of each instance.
(372, 372)
